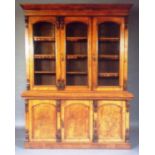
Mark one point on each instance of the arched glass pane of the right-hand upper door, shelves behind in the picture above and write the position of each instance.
(108, 54)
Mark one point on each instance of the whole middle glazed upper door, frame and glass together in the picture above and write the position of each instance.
(76, 53)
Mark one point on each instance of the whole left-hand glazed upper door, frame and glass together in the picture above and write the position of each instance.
(44, 57)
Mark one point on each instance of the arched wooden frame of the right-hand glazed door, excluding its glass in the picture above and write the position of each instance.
(122, 54)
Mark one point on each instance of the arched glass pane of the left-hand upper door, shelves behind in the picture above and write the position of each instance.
(44, 54)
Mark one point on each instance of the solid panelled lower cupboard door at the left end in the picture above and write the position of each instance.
(43, 120)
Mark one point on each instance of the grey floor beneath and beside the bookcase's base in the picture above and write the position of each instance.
(20, 150)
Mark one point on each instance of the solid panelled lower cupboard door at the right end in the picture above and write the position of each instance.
(111, 121)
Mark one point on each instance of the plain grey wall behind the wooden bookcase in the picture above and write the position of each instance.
(133, 70)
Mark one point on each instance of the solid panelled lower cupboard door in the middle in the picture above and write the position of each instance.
(77, 121)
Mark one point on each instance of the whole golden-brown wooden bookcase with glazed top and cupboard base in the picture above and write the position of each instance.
(76, 69)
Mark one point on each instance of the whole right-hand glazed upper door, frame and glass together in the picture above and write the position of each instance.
(108, 53)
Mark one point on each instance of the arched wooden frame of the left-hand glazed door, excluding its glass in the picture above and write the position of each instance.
(30, 52)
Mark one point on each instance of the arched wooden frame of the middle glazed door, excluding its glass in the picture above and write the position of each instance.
(87, 21)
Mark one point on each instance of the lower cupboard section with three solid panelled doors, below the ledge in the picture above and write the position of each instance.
(79, 123)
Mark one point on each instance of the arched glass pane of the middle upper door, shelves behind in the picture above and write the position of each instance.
(76, 54)
